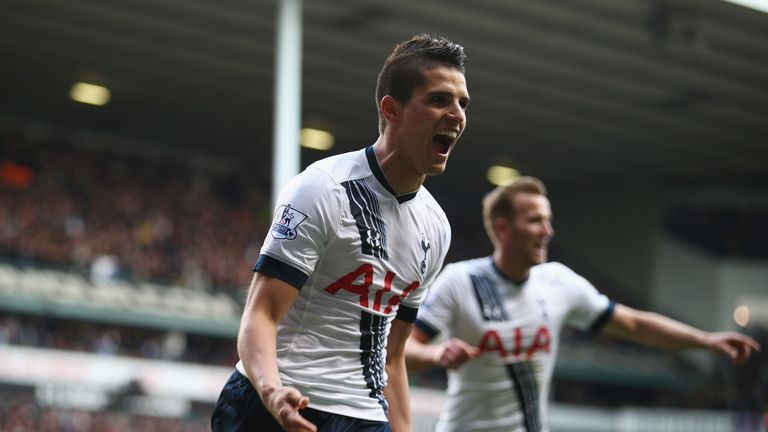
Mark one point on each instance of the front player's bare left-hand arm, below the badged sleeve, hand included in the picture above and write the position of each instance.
(268, 300)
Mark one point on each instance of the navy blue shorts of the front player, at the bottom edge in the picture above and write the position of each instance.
(239, 408)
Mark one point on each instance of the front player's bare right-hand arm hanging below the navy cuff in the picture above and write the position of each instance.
(396, 390)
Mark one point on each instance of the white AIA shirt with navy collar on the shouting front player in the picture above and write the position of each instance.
(361, 256)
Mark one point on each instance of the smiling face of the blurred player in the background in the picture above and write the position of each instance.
(530, 230)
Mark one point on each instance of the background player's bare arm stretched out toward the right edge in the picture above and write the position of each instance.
(662, 332)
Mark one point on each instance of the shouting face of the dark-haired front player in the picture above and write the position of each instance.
(433, 119)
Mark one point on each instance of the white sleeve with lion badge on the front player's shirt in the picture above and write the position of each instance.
(306, 214)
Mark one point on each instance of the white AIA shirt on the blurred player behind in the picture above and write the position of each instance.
(517, 326)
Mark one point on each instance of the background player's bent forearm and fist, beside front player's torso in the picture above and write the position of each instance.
(420, 353)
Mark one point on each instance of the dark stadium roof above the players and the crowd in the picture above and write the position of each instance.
(568, 90)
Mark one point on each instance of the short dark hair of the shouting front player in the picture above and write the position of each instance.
(403, 70)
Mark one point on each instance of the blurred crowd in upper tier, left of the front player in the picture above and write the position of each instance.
(127, 215)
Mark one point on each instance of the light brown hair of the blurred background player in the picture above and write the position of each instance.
(500, 202)
